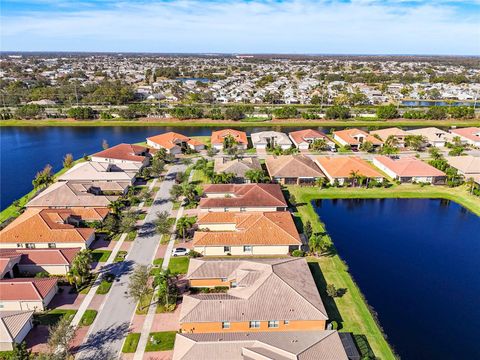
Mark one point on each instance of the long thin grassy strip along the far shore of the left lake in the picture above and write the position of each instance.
(229, 123)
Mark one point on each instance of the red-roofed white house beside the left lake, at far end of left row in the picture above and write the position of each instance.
(124, 153)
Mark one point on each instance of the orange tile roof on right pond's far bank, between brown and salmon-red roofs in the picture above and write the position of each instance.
(343, 166)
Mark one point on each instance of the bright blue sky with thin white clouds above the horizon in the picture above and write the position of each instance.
(430, 27)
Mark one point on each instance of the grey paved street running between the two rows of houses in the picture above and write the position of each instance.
(106, 335)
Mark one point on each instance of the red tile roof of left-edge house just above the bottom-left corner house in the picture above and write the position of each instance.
(26, 289)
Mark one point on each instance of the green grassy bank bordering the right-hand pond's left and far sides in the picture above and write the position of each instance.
(351, 310)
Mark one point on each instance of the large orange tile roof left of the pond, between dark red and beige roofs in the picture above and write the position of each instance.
(255, 228)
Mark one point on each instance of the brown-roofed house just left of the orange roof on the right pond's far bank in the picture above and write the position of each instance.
(293, 169)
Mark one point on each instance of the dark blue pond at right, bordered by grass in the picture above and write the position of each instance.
(417, 263)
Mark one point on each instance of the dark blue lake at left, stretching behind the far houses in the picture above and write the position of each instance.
(26, 150)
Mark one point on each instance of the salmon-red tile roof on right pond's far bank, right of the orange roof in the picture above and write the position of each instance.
(409, 166)
